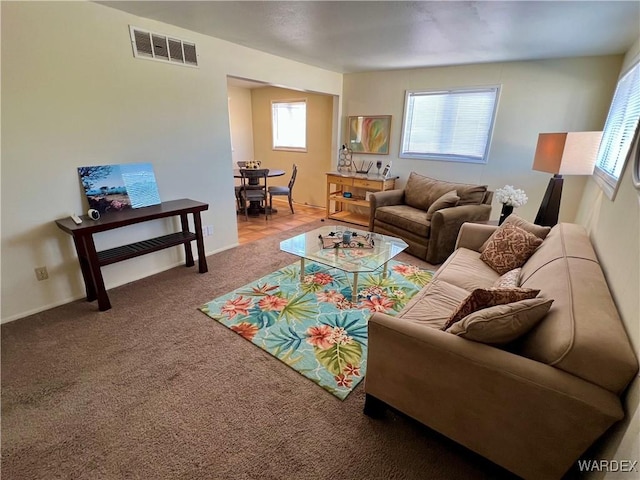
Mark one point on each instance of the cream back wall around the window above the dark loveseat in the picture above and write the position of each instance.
(570, 94)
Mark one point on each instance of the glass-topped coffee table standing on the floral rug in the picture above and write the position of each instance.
(366, 253)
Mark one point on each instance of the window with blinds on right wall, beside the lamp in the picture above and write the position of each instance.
(619, 131)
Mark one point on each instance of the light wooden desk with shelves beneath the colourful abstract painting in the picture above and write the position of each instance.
(358, 185)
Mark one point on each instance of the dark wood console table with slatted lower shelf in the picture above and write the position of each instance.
(91, 261)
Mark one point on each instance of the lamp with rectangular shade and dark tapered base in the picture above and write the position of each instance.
(566, 153)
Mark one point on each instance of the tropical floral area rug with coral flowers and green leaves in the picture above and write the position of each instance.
(313, 326)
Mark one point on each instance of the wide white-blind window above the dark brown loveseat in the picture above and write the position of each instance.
(451, 125)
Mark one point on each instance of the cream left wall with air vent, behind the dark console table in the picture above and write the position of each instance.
(74, 95)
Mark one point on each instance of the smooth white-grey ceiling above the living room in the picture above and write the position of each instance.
(352, 36)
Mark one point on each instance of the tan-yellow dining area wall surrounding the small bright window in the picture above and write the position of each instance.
(312, 164)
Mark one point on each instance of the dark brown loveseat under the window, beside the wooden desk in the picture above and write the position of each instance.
(428, 213)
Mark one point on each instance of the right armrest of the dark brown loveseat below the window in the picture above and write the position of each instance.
(445, 226)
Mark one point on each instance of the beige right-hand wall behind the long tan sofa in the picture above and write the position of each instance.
(614, 228)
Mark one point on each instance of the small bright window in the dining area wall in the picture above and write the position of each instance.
(289, 125)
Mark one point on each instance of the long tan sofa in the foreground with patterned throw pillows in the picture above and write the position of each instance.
(533, 405)
